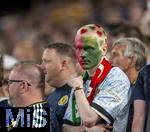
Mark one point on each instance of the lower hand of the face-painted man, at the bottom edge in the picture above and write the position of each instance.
(99, 128)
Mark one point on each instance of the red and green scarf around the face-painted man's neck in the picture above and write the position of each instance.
(99, 75)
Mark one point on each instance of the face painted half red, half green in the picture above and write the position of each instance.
(88, 52)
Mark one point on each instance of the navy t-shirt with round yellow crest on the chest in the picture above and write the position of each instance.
(58, 100)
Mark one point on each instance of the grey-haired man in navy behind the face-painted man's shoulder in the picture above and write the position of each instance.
(130, 55)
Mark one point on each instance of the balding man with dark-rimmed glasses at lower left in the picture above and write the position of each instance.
(26, 89)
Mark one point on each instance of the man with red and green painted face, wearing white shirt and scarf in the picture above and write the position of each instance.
(100, 98)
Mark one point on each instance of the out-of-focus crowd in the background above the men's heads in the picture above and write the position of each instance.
(27, 25)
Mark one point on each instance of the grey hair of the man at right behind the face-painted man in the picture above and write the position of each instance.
(134, 48)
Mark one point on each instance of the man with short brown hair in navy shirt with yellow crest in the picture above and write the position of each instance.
(59, 65)
